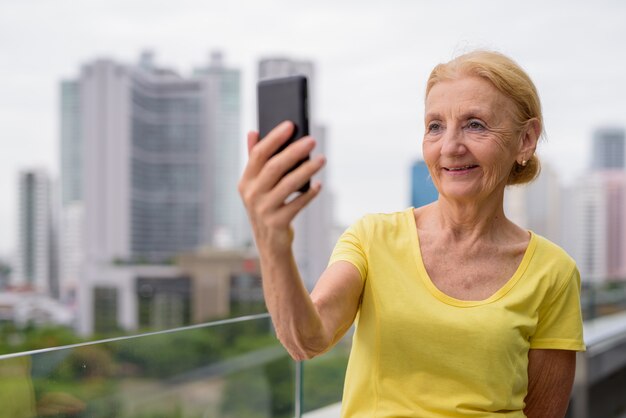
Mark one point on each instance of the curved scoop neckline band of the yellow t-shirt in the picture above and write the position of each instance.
(444, 297)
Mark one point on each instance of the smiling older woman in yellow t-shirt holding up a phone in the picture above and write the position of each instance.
(459, 312)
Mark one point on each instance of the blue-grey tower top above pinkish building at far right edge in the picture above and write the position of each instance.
(608, 149)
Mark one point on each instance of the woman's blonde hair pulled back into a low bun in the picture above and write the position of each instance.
(512, 81)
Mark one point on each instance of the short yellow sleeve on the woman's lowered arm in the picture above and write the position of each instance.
(560, 324)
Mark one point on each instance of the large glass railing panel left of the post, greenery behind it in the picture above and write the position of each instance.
(231, 369)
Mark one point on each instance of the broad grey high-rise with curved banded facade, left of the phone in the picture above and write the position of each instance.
(141, 134)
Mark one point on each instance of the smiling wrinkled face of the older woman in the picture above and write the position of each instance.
(470, 141)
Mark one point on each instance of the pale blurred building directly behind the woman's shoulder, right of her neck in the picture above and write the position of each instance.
(537, 205)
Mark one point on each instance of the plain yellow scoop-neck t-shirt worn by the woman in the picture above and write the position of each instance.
(418, 352)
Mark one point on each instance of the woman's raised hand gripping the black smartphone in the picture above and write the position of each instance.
(267, 183)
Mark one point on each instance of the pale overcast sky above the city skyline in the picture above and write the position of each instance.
(372, 60)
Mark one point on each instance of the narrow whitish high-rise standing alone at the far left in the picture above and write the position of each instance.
(34, 268)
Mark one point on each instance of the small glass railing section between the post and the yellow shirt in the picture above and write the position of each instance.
(323, 377)
